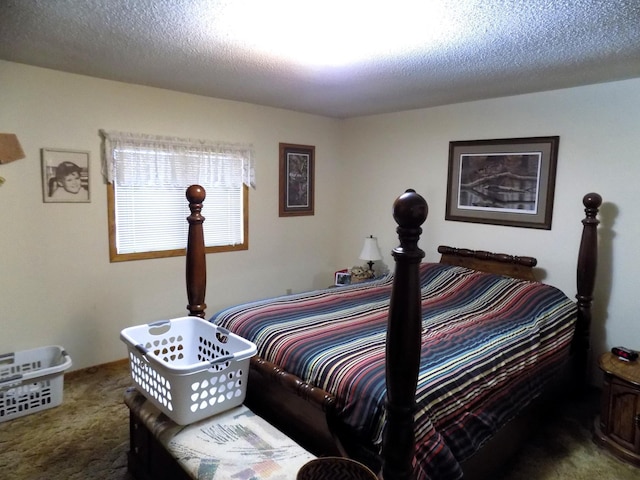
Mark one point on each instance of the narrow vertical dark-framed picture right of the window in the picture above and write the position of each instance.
(297, 163)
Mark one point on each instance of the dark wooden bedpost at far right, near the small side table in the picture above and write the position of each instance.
(585, 279)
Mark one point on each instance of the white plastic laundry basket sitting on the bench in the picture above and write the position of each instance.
(189, 368)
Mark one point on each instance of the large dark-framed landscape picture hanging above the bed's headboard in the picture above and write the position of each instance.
(508, 182)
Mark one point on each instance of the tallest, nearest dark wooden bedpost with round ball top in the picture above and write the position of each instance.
(403, 339)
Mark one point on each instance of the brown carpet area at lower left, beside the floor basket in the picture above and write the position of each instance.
(87, 437)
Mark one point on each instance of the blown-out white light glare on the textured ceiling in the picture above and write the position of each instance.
(329, 33)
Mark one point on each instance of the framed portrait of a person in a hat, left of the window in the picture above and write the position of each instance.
(65, 176)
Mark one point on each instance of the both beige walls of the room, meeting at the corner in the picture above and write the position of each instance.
(58, 287)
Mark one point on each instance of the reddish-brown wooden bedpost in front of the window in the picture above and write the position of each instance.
(196, 271)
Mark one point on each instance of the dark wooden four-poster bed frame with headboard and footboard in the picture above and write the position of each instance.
(307, 413)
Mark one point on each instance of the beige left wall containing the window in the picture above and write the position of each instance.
(56, 283)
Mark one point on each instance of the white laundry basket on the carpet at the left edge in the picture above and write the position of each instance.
(31, 380)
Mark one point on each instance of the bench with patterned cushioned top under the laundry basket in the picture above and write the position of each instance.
(236, 444)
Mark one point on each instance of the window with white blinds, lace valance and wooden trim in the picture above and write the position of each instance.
(147, 177)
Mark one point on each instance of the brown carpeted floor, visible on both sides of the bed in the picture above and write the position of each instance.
(87, 438)
